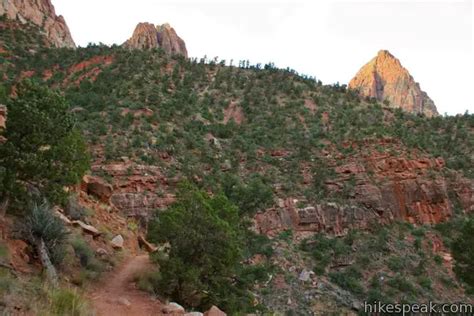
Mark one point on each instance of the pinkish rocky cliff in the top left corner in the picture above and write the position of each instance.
(42, 14)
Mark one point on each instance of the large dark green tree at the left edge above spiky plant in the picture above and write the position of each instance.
(44, 151)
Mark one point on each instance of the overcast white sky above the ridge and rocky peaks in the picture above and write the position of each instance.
(327, 39)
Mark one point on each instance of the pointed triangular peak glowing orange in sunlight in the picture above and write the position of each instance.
(384, 78)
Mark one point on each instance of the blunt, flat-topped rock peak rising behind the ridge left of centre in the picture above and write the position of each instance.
(147, 36)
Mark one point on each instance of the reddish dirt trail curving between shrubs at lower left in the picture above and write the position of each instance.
(116, 295)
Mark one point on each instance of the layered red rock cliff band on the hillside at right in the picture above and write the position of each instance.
(386, 187)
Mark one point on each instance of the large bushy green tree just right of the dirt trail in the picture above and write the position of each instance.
(206, 241)
